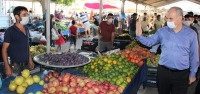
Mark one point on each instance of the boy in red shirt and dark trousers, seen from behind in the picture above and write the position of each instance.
(73, 35)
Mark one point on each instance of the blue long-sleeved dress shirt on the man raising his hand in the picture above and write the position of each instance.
(179, 50)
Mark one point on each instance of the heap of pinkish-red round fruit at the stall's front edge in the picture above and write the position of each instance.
(71, 84)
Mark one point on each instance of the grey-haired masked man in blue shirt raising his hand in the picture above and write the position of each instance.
(179, 58)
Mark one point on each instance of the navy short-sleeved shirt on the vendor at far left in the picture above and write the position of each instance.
(18, 49)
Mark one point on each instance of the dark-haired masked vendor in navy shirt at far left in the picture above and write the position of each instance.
(16, 44)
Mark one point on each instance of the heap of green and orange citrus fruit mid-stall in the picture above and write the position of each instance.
(114, 68)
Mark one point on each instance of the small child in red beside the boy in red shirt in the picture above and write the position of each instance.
(60, 41)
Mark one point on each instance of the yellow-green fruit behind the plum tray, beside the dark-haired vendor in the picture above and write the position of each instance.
(39, 49)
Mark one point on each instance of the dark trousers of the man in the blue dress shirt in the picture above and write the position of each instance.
(172, 82)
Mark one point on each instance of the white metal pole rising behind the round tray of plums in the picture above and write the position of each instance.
(48, 25)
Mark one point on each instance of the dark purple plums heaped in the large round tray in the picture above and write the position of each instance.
(64, 59)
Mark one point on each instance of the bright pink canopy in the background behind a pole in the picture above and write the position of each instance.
(97, 6)
